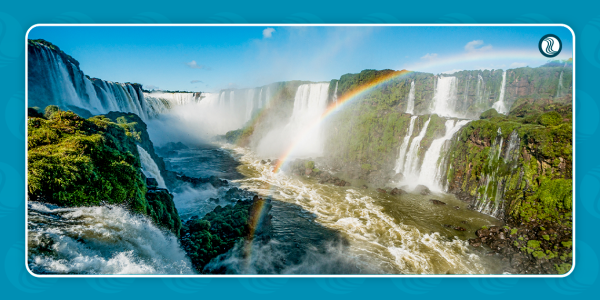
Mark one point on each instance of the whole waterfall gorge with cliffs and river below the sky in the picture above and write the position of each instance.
(378, 172)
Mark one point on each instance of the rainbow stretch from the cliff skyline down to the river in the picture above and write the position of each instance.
(346, 98)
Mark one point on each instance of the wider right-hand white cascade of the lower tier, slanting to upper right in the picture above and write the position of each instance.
(430, 174)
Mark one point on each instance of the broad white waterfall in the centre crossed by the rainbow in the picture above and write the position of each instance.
(310, 102)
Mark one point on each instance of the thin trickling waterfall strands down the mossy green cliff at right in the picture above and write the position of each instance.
(499, 170)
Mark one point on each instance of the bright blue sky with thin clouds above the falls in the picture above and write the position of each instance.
(212, 58)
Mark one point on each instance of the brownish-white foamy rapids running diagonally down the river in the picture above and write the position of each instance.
(387, 245)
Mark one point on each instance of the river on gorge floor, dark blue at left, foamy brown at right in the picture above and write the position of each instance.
(322, 228)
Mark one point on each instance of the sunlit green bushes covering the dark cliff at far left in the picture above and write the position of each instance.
(89, 162)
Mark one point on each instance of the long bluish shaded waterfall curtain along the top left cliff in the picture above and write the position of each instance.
(55, 80)
